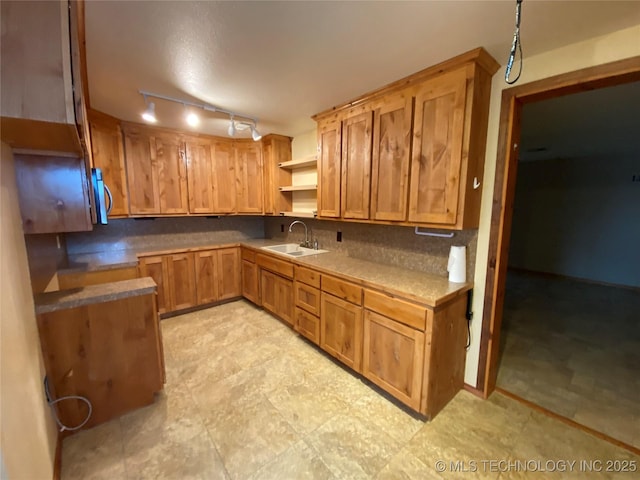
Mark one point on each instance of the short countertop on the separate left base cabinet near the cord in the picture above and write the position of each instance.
(106, 292)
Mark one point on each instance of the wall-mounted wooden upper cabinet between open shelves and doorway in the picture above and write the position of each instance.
(430, 128)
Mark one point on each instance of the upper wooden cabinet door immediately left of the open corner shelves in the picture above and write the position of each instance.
(249, 177)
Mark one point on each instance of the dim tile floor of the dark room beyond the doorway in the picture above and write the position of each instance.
(574, 348)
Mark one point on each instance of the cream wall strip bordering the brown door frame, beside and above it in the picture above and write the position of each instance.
(596, 51)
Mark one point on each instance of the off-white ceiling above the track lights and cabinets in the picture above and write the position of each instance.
(285, 61)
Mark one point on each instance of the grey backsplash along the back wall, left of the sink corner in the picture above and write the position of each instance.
(163, 233)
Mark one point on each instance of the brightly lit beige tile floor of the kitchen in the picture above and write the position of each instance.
(246, 398)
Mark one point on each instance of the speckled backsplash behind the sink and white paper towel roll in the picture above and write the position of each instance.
(394, 245)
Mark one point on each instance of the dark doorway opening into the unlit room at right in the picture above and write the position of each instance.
(570, 337)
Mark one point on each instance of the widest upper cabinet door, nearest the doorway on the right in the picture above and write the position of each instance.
(437, 149)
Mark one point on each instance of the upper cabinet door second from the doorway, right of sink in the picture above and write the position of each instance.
(391, 156)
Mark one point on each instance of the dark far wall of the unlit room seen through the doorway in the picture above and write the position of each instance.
(578, 217)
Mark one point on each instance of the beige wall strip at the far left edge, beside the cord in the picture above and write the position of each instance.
(28, 434)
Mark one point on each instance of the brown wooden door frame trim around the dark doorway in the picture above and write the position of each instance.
(513, 101)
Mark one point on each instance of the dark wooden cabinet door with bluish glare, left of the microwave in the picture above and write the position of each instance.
(53, 194)
